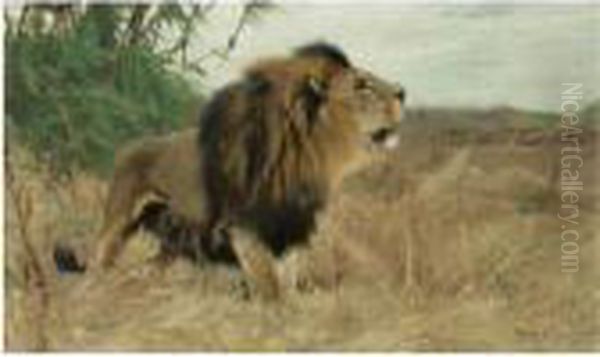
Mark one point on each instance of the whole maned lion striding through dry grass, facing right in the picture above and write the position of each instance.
(269, 150)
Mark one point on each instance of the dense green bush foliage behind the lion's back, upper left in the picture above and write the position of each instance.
(73, 95)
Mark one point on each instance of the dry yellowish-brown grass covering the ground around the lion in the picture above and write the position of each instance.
(448, 246)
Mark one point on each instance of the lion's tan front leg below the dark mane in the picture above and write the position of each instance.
(257, 262)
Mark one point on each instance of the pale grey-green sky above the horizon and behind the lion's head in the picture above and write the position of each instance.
(452, 55)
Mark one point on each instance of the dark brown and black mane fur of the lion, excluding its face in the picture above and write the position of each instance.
(244, 142)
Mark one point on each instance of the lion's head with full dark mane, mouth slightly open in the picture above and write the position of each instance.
(275, 142)
